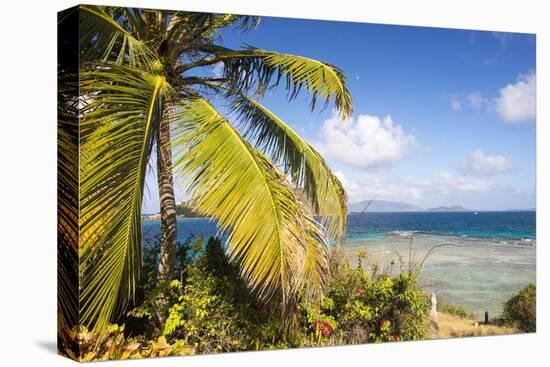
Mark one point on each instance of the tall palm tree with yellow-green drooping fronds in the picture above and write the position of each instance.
(146, 83)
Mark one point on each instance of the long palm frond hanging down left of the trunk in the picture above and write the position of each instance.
(118, 130)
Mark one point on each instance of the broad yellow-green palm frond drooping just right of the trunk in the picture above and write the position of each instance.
(231, 181)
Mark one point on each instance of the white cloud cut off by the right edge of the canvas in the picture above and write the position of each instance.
(517, 102)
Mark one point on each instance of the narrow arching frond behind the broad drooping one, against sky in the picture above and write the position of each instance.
(307, 168)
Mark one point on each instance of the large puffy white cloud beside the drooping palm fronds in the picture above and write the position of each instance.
(365, 141)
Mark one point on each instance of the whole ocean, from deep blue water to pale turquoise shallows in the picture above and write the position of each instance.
(487, 256)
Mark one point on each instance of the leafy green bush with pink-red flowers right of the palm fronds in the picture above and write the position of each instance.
(362, 307)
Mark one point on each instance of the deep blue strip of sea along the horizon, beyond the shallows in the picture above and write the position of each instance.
(514, 225)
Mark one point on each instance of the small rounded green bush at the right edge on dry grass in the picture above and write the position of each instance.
(521, 310)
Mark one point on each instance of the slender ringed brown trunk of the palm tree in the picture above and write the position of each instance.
(168, 222)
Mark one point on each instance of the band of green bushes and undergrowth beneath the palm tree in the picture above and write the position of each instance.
(212, 310)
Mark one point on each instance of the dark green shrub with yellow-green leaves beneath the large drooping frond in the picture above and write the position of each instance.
(210, 307)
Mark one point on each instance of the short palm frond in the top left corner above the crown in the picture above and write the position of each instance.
(102, 38)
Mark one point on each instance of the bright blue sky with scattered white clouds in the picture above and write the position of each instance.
(441, 116)
